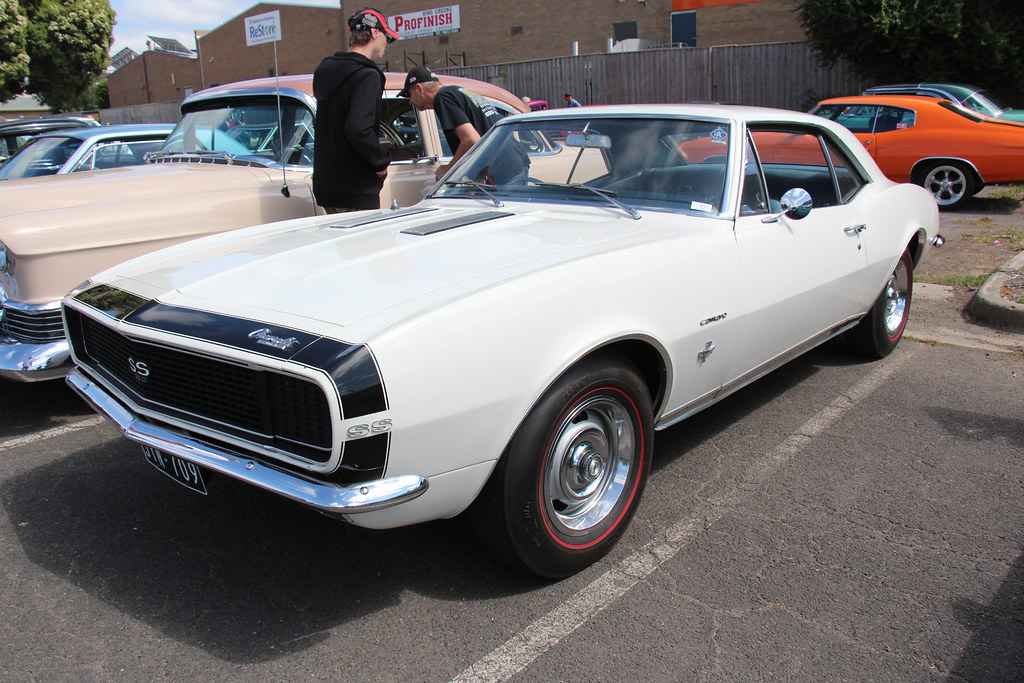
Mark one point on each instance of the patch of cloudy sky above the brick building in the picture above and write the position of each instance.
(179, 19)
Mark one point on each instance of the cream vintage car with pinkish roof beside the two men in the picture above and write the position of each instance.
(225, 166)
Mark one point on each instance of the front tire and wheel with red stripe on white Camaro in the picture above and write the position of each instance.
(572, 478)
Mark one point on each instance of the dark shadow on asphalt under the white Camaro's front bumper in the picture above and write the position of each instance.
(241, 574)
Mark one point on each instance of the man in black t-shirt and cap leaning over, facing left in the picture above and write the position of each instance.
(464, 115)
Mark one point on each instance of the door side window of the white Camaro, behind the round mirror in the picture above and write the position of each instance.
(796, 160)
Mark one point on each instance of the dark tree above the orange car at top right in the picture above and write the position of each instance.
(891, 41)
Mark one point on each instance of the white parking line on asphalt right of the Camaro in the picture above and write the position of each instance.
(521, 651)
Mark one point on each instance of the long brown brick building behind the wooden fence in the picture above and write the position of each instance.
(483, 32)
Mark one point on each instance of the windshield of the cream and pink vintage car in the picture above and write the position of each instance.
(248, 130)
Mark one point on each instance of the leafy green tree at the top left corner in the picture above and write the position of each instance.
(62, 46)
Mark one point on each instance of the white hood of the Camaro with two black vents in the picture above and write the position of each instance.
(318, 274)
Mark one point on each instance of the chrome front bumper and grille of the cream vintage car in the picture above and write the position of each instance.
(33, 347)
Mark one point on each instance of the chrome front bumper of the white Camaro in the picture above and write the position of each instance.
(329, 499)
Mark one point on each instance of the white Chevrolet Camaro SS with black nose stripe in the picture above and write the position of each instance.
(508, 347)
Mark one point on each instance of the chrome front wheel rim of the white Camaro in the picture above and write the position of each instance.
(589, 465)
